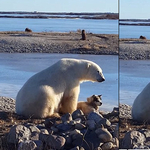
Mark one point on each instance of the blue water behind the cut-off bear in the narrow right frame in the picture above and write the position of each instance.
(134, 76)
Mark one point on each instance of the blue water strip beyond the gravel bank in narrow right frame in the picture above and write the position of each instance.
(127, 31)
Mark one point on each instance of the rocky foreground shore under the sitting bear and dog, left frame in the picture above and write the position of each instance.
(71, 132)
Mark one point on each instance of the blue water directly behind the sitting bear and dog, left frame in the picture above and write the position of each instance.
(17, 68)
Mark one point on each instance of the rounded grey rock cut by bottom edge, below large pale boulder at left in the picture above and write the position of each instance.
(27, 145)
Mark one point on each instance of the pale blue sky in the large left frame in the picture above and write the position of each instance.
(60, 5)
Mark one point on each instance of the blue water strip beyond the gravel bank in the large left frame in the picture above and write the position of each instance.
(59, 25)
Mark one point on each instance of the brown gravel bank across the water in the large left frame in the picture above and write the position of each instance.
(50, 42)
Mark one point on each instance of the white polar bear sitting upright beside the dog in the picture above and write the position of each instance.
(56, 89)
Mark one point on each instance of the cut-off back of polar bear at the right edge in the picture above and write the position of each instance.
(141, 106)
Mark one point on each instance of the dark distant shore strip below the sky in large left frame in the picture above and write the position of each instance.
(46, 15)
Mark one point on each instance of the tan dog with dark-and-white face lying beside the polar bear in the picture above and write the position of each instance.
(92, 104)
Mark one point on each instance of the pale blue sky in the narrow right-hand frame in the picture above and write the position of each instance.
(134, 9)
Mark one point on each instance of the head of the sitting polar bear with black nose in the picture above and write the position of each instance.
(94, 72)
